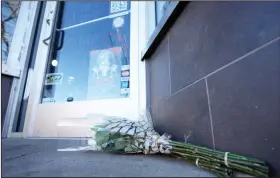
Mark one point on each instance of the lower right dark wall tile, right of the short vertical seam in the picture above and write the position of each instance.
(245, 103)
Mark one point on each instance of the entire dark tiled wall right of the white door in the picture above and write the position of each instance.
(217, 74)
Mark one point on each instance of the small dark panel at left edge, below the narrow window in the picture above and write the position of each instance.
(6, 85)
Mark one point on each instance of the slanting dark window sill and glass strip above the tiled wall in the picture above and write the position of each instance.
(172, 12)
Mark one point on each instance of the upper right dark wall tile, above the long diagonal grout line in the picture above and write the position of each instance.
(209, 35)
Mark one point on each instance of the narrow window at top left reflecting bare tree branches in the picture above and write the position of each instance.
(10, 10)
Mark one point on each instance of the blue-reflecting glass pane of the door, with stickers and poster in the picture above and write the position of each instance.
(94, 60)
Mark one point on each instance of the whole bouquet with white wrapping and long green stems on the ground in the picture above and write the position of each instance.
(120, 135)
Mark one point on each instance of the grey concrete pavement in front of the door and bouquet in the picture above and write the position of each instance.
(39, 157)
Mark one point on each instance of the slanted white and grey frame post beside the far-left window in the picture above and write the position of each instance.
(17, 59)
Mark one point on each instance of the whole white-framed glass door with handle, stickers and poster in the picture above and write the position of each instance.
(87, 62)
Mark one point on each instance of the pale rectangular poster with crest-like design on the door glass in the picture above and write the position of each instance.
(105, 73)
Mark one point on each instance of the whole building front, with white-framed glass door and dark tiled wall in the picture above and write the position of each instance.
(208, 72)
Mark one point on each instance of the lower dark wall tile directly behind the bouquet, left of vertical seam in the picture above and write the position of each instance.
(186, 111)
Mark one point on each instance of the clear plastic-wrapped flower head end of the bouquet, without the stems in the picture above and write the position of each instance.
(117, 134)
